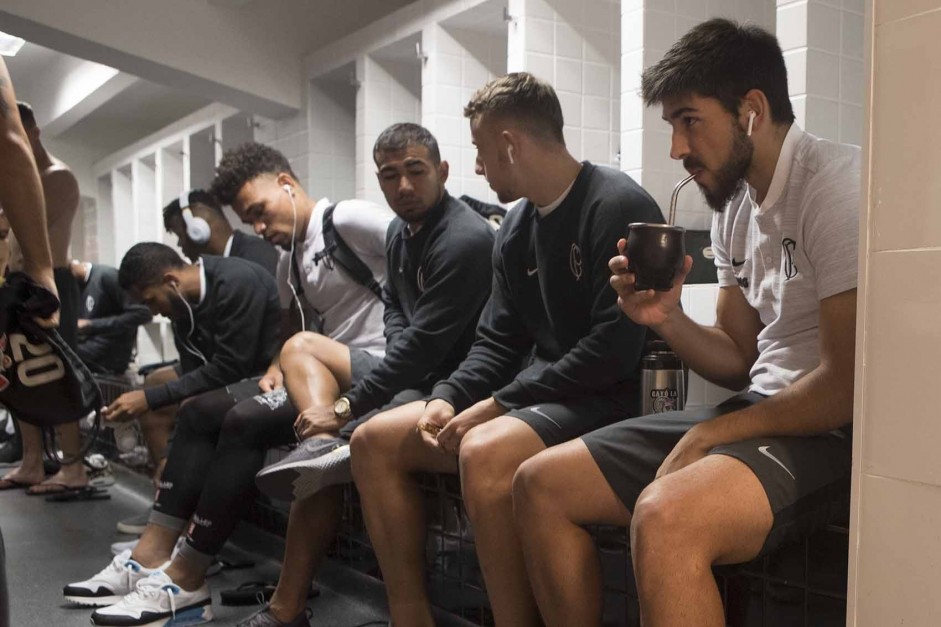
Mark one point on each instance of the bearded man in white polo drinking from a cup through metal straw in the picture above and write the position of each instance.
(720, 485)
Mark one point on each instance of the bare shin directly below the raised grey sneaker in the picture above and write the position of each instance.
(312, 527)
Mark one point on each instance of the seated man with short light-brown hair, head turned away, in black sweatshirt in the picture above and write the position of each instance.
(551, 306)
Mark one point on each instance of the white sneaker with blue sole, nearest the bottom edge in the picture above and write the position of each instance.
(157, 602)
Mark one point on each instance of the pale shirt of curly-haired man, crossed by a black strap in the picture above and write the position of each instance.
(351, 313)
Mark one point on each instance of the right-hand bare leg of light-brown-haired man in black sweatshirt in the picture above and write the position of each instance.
(490, 455)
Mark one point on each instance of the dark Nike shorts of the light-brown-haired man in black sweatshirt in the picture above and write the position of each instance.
(565, 420)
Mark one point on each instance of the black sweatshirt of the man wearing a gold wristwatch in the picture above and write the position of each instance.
(438, 282)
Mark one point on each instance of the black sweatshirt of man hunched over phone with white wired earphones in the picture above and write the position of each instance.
(236, 330)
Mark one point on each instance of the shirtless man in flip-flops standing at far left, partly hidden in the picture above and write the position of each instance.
(61, 195)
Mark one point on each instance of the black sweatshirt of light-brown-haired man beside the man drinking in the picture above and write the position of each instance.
(551, 296)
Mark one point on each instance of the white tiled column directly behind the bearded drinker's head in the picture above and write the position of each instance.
(823, 47)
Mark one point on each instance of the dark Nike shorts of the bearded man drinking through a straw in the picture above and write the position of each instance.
(806, 479)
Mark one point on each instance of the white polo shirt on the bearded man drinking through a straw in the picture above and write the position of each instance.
(799, 247)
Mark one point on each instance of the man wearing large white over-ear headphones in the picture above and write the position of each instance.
(217, 237)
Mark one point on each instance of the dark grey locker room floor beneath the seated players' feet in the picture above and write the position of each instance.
(51, 544)
